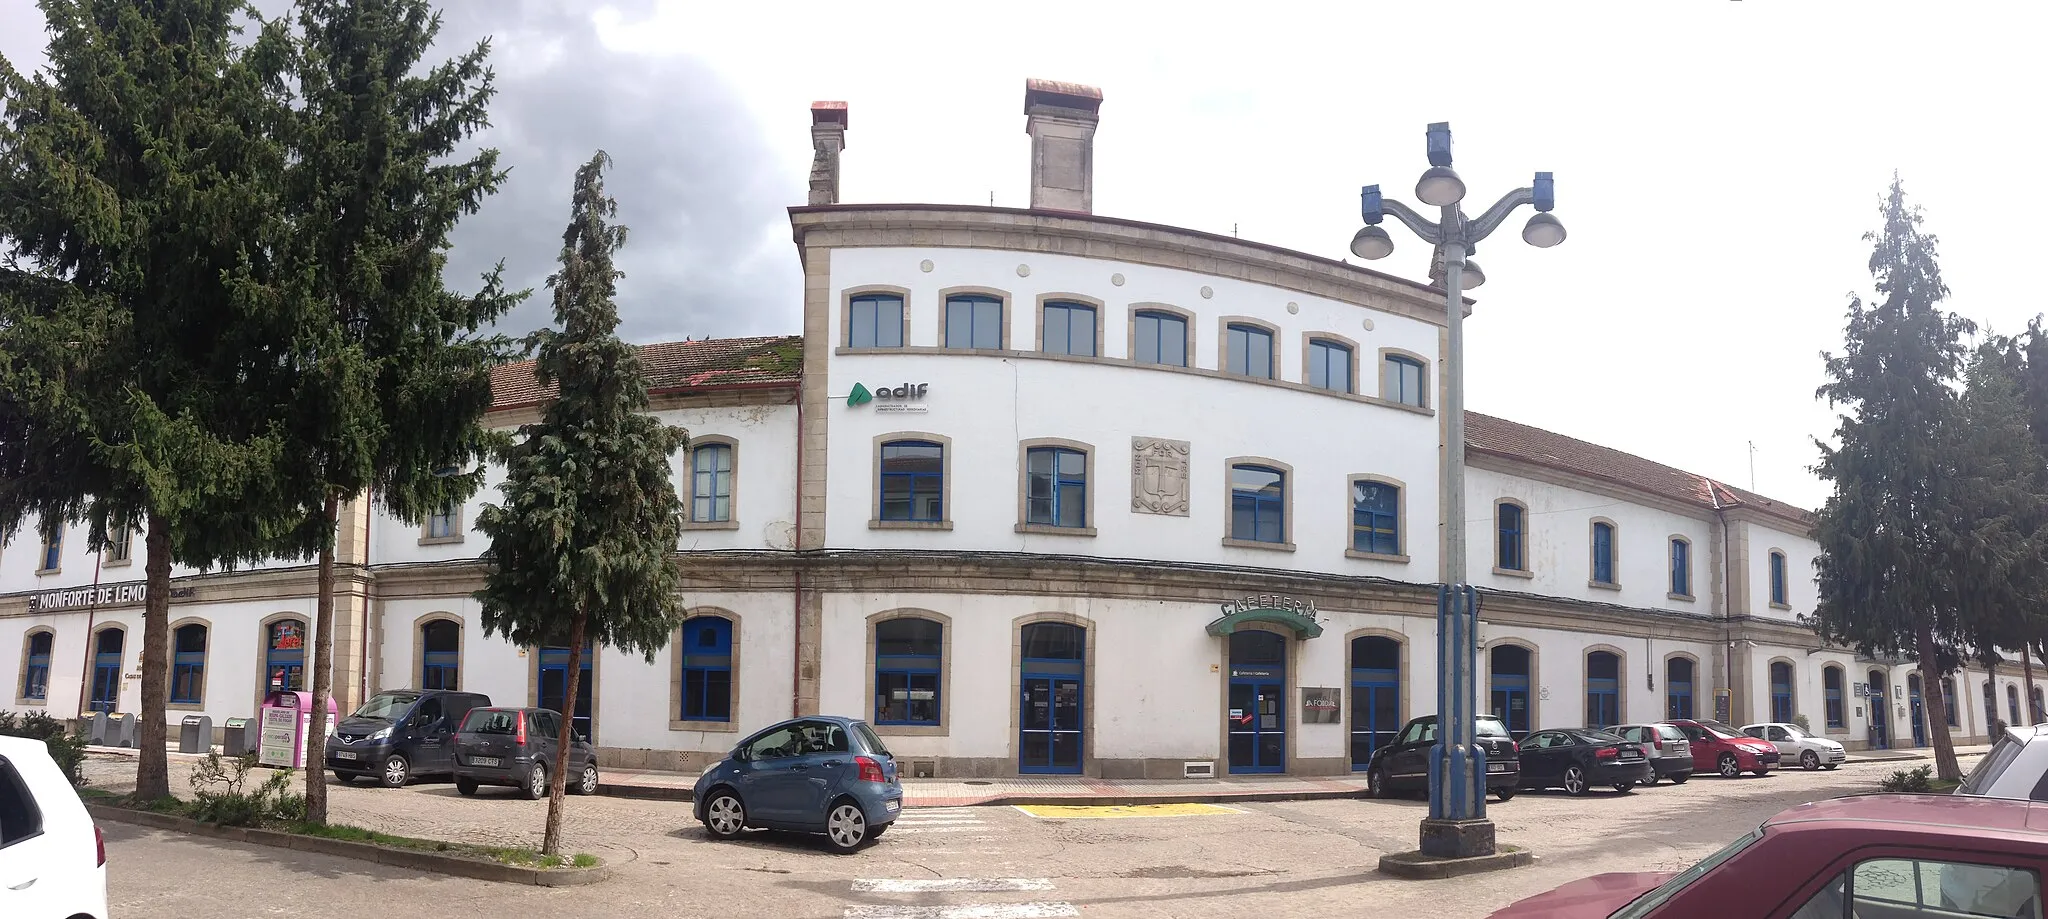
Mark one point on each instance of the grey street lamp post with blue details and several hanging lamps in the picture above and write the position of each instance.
(1457, 824)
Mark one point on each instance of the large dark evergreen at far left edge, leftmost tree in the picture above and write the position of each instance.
(138, 361)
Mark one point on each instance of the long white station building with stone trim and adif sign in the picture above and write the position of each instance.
(1043, 492)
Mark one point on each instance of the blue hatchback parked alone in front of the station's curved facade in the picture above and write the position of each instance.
(818, 775)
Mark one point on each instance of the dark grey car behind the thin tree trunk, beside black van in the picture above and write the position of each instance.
(515, 748)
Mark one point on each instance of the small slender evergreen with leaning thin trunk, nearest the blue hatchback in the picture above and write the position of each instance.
(585, 545)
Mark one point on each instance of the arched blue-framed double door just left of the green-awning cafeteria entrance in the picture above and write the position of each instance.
(1052, 691)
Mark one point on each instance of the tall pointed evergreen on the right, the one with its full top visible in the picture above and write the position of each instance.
(1885, 533)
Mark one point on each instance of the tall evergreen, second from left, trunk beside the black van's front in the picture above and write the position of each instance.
(396, 374)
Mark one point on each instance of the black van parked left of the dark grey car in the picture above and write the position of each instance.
(400, 734)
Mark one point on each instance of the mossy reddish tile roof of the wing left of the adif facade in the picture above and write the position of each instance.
(714, 363)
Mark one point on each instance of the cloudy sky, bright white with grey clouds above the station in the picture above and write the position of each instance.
(1717, 165)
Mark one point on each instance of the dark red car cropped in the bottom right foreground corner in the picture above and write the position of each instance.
(1873, 857)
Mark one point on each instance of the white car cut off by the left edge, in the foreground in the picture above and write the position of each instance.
(52, 855)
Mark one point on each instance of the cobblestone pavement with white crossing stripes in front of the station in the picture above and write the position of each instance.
(1306, 859)
